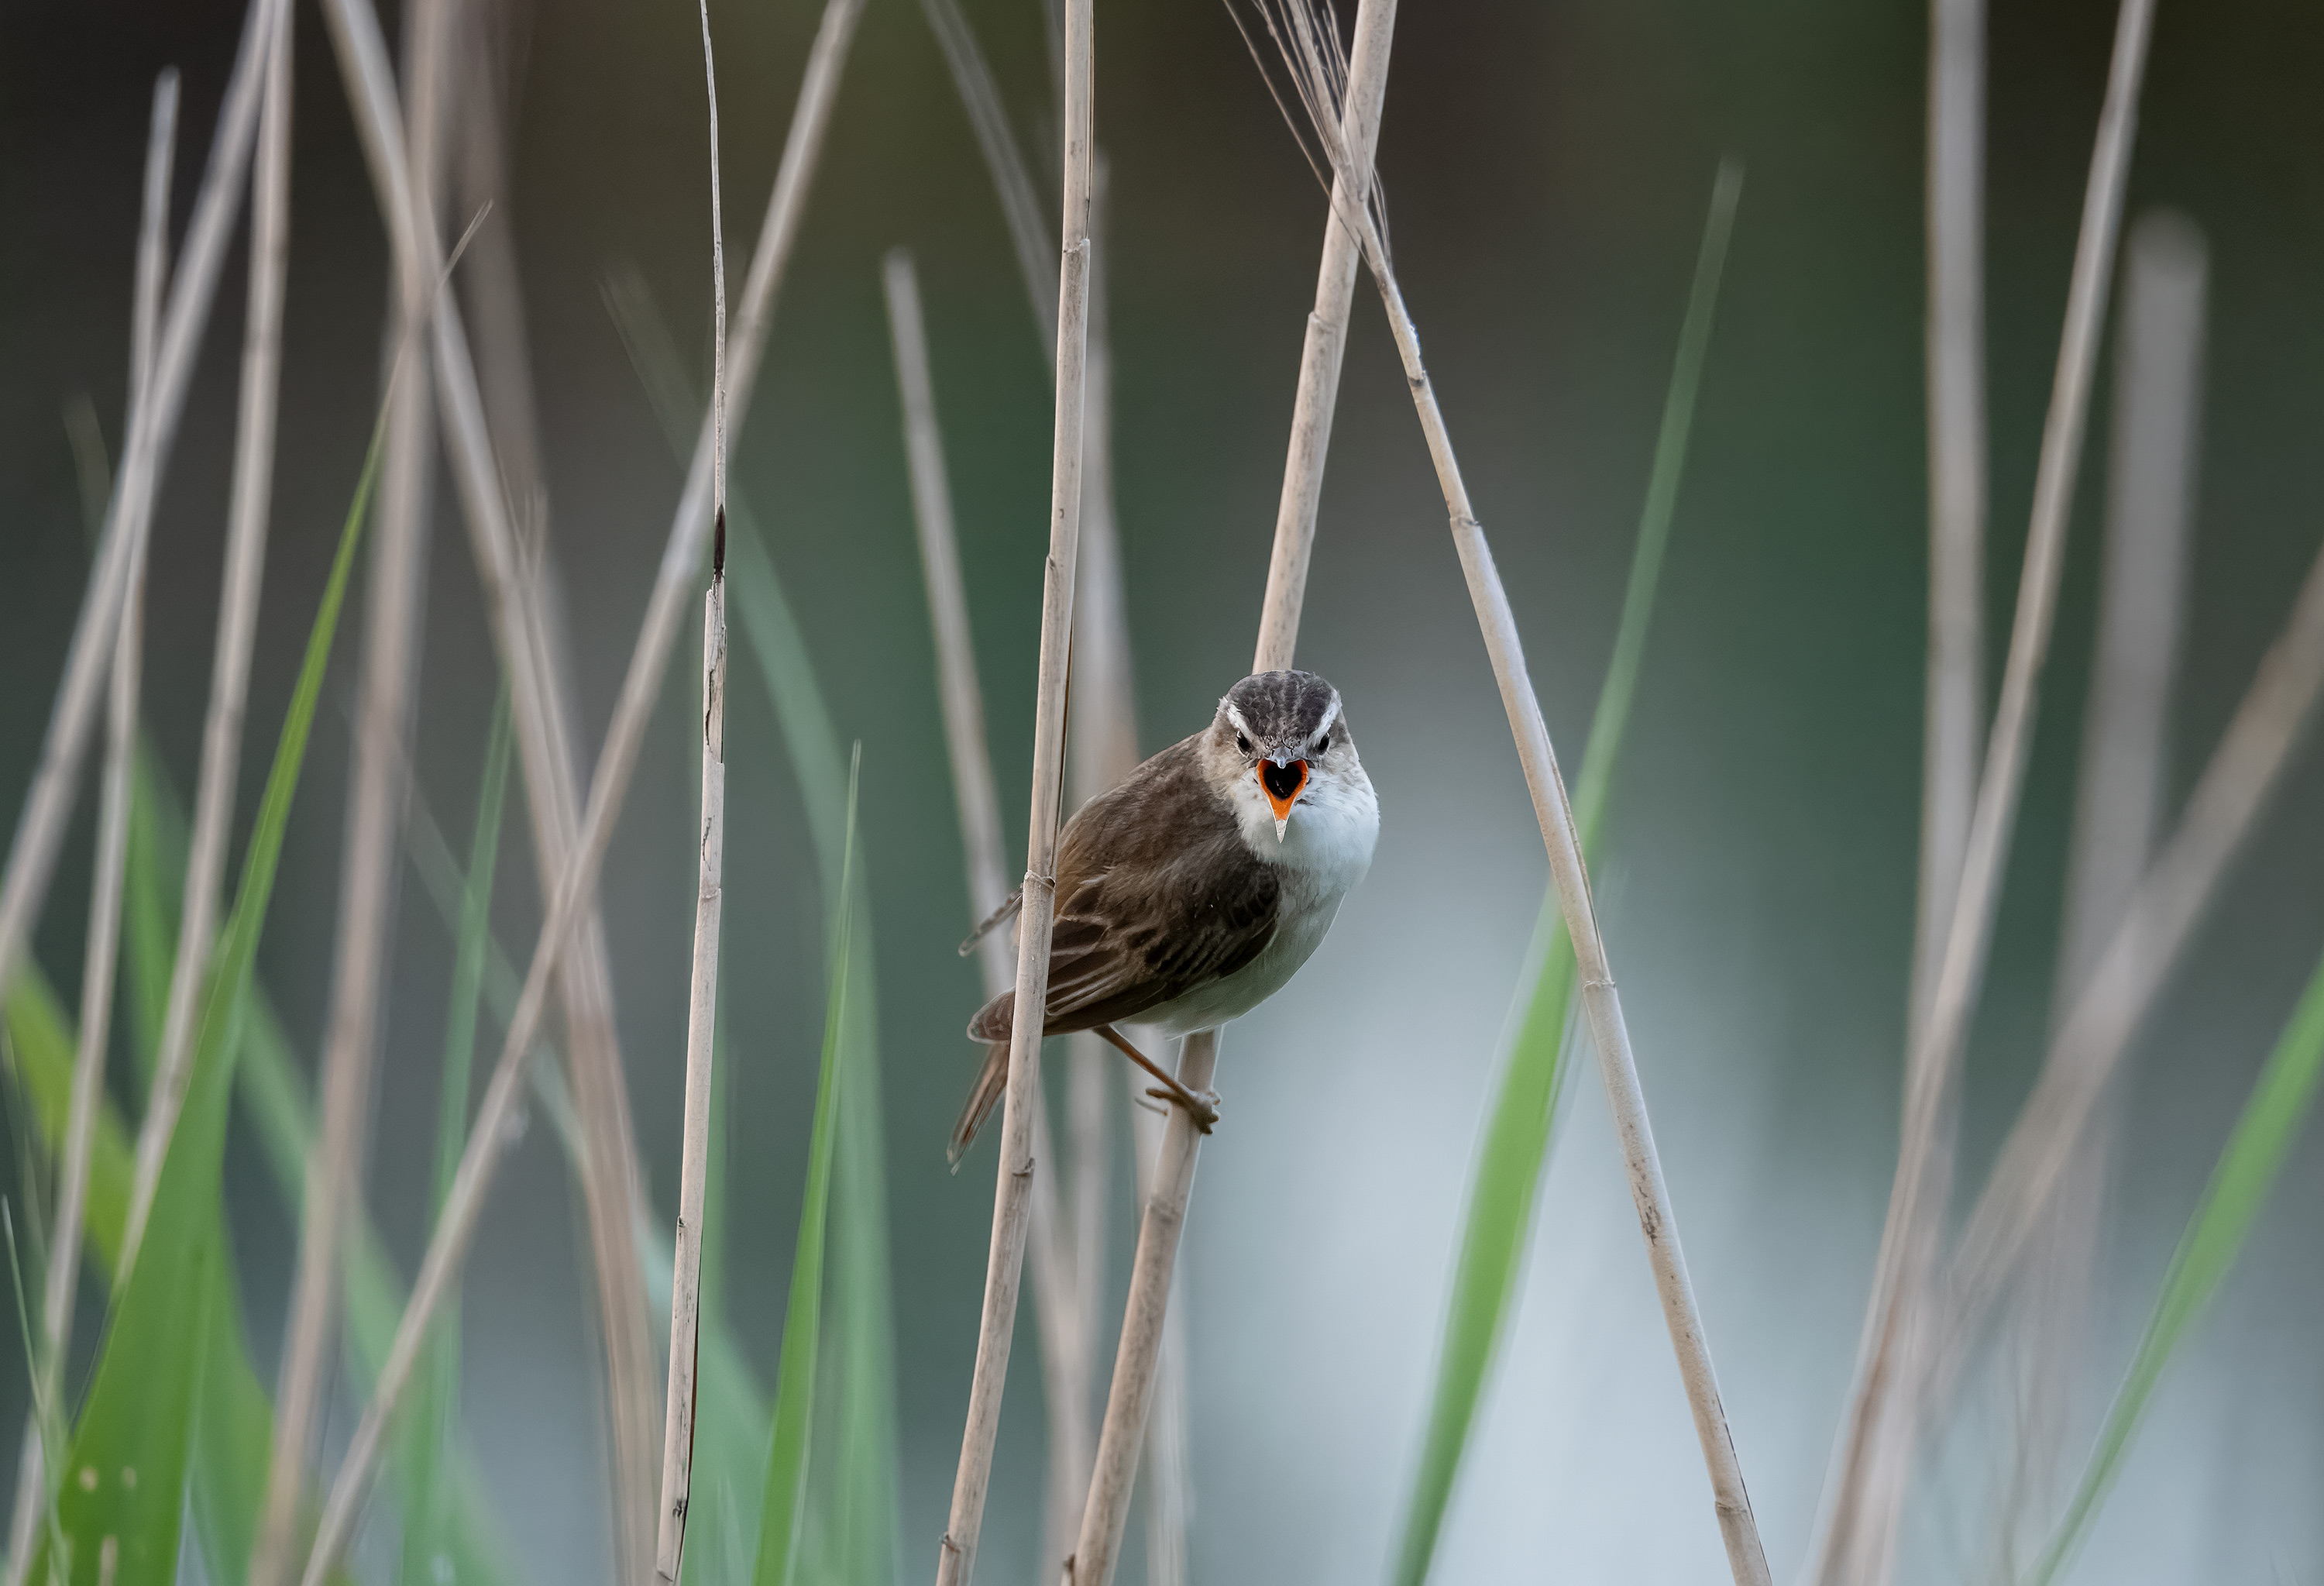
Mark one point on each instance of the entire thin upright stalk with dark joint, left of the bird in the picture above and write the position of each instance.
(703, 992)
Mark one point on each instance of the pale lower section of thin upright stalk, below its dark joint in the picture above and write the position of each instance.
(694, 1164)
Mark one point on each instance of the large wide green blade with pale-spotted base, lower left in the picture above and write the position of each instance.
(131, 1450)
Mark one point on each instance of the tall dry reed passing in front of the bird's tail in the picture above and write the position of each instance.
(956, 1552)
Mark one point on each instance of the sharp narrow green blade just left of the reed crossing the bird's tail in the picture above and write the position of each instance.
(784, 1503)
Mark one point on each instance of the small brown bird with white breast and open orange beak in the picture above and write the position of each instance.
(1200, 885)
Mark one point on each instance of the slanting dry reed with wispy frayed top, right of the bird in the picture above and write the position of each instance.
(1319, 71)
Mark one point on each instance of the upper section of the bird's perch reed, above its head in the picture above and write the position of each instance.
(1326, 341)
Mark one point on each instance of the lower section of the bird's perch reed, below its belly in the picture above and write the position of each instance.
(1145, 1324)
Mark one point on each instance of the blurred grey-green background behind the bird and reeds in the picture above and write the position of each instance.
(1547, 176)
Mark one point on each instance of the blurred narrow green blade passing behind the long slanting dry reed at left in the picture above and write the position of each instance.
(426, 1436)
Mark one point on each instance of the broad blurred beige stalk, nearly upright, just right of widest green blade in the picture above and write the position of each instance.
(396, 615)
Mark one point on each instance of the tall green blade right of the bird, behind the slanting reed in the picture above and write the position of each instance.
(1523, 1117)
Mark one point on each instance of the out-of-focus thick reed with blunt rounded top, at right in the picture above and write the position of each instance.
(2123, 776)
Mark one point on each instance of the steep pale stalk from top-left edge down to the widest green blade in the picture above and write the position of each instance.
(245, 559)
